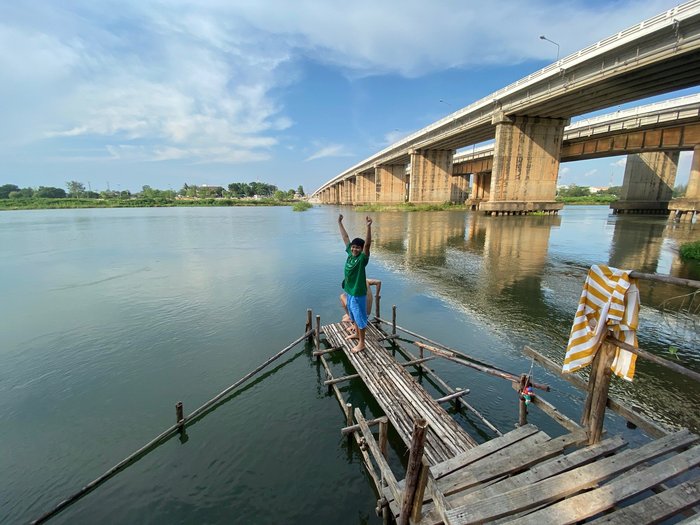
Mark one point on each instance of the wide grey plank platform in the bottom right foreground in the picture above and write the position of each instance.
(525, 477)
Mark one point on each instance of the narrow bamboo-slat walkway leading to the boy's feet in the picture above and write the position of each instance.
(400, 396)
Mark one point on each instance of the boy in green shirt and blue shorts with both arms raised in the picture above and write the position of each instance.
(356, 280)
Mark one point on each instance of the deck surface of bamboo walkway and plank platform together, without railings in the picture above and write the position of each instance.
(524, 476)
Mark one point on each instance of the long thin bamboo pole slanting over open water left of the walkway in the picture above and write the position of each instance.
(158, 439)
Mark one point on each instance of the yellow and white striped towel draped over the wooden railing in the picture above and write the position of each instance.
(609, 303)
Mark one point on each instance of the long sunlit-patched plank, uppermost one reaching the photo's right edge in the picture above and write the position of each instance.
(568, 483)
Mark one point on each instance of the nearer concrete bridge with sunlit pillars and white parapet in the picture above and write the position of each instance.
(527, 120)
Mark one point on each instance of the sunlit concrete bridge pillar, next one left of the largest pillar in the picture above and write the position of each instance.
(431, 174)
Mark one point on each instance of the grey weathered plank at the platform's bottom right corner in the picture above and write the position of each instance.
(657, 508)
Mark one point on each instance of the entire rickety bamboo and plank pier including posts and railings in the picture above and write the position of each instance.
(524, 476)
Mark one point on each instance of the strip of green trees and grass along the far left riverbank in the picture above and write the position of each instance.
(12, 197)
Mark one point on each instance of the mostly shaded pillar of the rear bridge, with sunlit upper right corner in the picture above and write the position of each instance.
(648, 183)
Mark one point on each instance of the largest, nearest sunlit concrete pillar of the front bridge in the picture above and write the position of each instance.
(525, 165)
